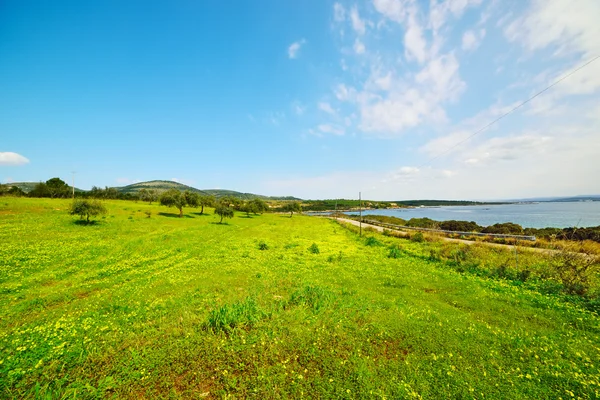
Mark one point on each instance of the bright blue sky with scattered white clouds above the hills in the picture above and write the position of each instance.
(316, 99)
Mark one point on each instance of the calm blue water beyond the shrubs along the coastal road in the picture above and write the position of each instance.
(528, 215)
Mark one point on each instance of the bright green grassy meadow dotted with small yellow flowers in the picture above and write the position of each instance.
(266, 307)
